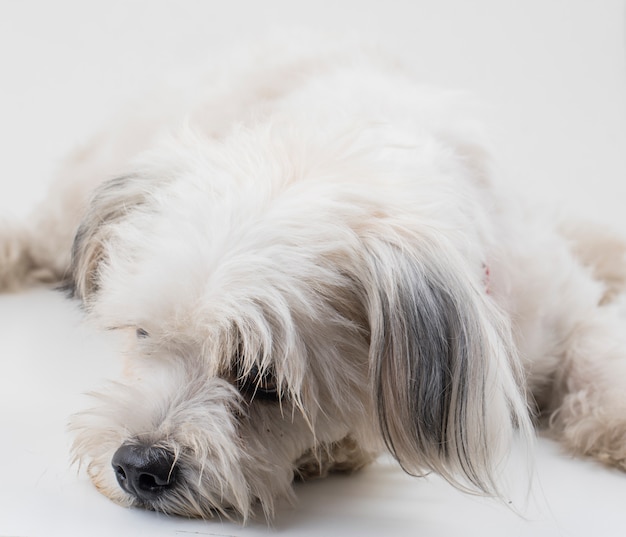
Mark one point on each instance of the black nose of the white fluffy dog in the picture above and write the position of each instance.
(146, 472)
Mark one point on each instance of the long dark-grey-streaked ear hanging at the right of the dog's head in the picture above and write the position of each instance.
(444, 371)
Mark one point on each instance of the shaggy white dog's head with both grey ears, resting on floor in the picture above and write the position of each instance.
(290, 312)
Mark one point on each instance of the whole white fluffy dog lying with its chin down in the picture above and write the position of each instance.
(315, 264)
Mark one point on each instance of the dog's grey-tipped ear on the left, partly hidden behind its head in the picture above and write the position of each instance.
(110, 204)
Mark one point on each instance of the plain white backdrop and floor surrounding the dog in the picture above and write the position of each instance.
(555, 77)
